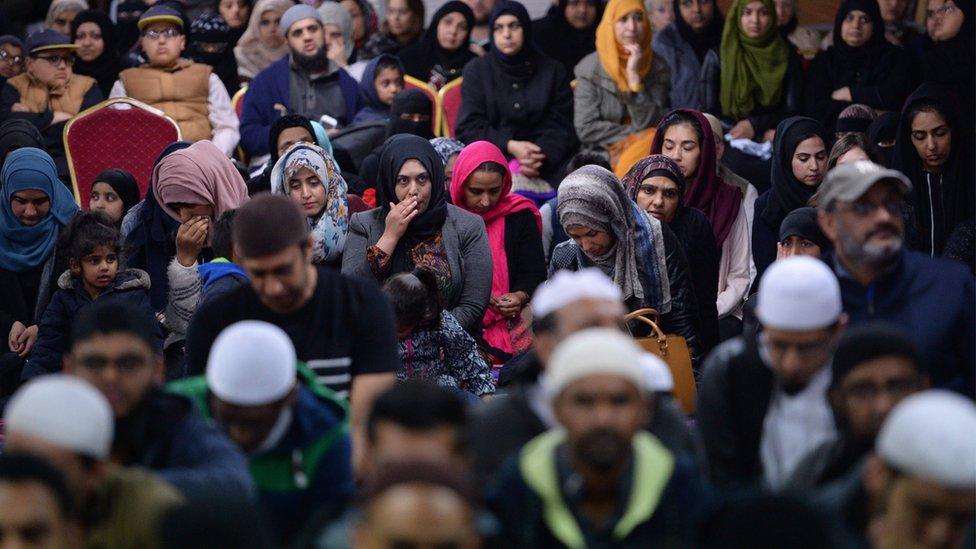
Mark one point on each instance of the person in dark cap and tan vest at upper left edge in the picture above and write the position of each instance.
(48, 94)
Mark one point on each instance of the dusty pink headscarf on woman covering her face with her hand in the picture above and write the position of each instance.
(198, 174)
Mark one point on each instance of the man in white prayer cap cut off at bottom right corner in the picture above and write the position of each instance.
(918, 488)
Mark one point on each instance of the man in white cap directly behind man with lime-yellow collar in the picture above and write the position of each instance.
(569, 302)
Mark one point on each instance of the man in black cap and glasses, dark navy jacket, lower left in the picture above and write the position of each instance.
(113, 348)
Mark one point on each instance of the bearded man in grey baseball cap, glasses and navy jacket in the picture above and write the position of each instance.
(862, 210)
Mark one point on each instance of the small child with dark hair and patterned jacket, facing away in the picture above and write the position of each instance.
(432, 345)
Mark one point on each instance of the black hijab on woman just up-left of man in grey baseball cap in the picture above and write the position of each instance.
(788, 192)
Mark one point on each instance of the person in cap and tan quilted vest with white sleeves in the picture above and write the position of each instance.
(188, 92)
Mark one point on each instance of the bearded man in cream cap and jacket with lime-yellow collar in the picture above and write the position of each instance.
(600, 481)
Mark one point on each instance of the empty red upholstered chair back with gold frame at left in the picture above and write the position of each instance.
(107, 136)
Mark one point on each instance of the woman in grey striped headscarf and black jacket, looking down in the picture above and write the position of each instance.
(642, 256)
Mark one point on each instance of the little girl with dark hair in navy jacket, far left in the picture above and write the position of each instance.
(92, 246)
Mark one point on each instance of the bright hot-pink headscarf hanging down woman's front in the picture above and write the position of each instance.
(496, 331)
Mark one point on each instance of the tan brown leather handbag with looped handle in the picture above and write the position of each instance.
(673, 350)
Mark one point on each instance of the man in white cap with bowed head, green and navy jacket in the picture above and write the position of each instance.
(293, 429)
